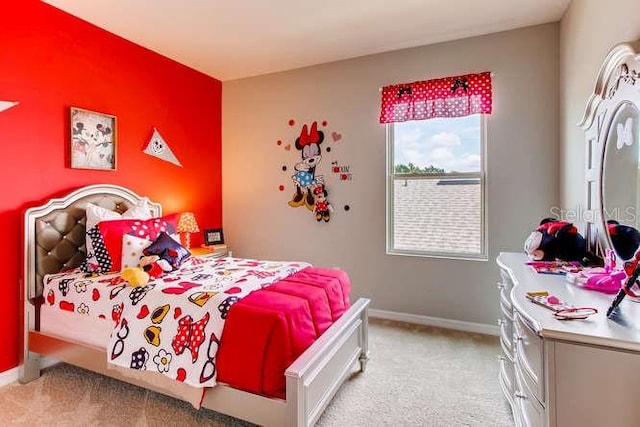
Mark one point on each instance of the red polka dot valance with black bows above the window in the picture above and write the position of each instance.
(447, 97)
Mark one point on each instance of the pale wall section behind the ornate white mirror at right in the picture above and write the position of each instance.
(589, 29)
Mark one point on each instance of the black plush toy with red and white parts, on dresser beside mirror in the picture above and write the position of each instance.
(554, 239)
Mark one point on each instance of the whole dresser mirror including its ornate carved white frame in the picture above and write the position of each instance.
(611, 123)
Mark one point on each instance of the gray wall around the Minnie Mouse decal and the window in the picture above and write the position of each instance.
(522, 182)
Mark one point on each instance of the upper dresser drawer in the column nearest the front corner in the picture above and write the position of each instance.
(529, 356)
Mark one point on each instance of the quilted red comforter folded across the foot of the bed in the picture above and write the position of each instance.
(268, 329)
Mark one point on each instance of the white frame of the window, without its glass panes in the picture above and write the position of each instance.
(481, 175)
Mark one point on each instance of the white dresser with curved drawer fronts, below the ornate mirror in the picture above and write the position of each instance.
(566, 372)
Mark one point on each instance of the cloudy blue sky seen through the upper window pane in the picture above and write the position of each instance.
(452, 144)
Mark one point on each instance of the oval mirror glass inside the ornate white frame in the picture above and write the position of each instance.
(620, 181)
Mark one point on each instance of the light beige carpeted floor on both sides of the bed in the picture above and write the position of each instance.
(417, 376)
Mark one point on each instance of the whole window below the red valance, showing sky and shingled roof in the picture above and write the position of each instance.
(436, 187)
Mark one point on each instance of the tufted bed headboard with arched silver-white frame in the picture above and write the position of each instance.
(54, 233)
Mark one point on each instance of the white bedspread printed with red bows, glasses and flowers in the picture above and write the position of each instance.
(173, 324)
